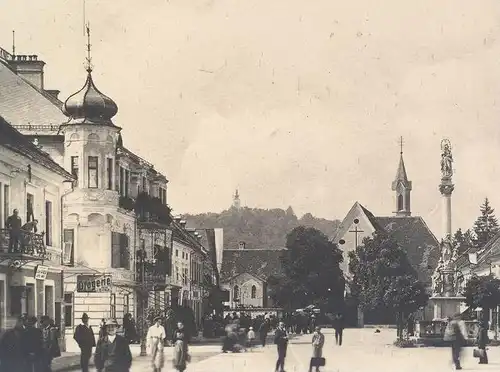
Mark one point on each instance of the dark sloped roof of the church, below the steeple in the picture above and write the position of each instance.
(420, 244)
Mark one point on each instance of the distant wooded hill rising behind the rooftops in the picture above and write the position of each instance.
(259, 228)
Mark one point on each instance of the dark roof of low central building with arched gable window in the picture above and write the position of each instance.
(261, 263)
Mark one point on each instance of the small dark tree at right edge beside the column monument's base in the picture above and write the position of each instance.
(484, 292)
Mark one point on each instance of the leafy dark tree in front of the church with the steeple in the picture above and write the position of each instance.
(384, 280)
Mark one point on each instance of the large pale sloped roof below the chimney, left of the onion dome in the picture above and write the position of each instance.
(21, 103)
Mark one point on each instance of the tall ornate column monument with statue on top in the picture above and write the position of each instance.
(445, 286)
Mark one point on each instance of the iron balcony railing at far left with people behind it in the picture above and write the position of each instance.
(22, 243)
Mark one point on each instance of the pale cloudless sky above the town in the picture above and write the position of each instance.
(295, 103)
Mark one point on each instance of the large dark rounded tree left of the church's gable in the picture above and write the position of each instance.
(311, 272)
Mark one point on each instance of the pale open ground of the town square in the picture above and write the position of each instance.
(363, 350)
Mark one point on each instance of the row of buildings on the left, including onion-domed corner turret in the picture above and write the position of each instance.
(99, 237)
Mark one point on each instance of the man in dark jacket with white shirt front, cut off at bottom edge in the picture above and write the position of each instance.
(112, 353)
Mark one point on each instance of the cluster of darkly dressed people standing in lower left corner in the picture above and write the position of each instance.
(30, 346)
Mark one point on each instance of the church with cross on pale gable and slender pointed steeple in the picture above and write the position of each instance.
(410, 232)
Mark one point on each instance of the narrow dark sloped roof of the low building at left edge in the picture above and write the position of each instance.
(16, 142)
